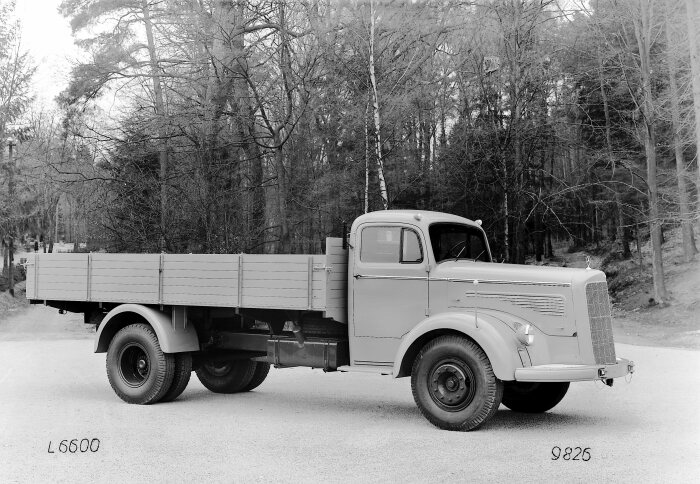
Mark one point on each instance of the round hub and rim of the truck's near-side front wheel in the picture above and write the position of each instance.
(452, 385)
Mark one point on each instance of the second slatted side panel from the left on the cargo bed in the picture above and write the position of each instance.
(124, 277)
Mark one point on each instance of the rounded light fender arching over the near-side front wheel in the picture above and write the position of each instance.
(488, 332)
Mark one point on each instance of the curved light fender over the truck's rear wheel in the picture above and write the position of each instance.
(172, 339)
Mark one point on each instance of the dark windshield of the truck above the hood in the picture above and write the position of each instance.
(456, 241)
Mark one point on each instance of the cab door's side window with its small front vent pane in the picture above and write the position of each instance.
(390, 245)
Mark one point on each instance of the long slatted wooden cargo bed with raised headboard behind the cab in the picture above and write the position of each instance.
(261, 281)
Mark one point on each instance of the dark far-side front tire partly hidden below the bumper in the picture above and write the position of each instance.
(529, 397)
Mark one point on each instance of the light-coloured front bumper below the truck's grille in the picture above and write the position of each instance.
(543, 373)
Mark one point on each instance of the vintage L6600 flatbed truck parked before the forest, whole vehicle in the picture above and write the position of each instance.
(406, 293)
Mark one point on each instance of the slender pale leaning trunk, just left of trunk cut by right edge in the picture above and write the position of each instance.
(689, 250)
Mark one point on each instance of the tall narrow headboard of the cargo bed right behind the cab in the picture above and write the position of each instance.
(337, 280)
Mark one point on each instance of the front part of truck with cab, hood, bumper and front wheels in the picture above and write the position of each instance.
(423, 280)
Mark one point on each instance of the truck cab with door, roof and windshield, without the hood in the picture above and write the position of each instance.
(394, 258)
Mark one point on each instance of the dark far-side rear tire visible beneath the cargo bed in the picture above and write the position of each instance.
(222, 375)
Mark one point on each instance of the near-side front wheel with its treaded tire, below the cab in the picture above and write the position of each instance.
(454, 385)
